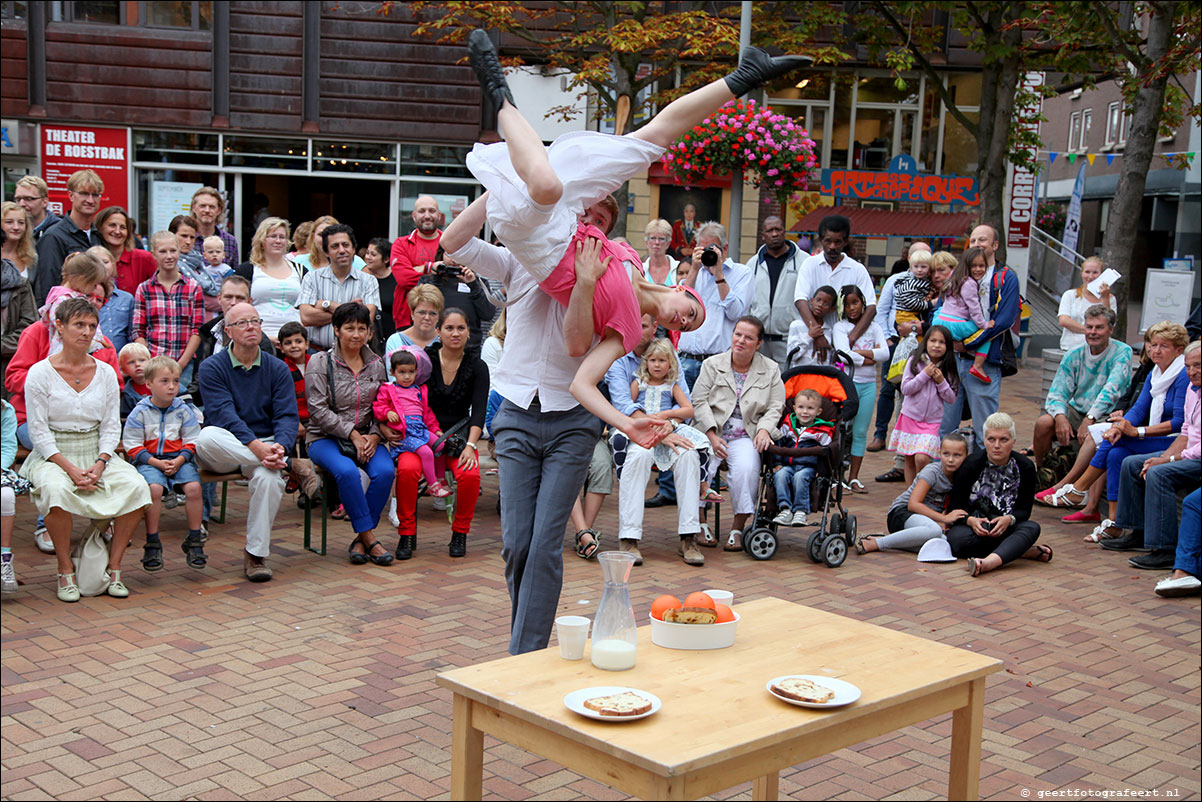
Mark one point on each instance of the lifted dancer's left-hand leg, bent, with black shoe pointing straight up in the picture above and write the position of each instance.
(527, 152)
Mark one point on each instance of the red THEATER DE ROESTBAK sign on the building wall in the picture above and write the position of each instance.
(70, 148)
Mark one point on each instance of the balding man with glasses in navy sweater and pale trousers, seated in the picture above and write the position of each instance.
(252, 421)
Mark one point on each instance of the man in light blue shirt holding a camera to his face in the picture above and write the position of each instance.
(727, 288)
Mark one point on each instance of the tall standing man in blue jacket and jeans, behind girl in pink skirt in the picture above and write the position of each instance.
(1001, 290)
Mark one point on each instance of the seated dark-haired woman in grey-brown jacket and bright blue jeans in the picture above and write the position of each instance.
(341, 387)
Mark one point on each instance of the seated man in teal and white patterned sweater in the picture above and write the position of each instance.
(1088, 385)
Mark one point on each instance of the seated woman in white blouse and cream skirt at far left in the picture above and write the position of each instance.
(75, 426)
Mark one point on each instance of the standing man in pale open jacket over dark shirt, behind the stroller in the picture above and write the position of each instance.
(776, 269)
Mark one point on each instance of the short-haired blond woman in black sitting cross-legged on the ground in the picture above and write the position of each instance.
(997, 489)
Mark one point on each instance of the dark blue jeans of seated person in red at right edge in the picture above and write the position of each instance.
(1151, 503)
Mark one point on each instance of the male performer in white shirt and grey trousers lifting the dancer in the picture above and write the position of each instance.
(545, 438)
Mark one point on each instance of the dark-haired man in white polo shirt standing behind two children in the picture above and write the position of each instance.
(835, 269)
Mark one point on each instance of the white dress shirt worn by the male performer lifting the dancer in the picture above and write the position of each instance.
(535, 360)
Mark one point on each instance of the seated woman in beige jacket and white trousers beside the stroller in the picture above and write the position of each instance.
(739, 401)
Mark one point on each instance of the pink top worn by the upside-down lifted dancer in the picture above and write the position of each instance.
(615, 304)
